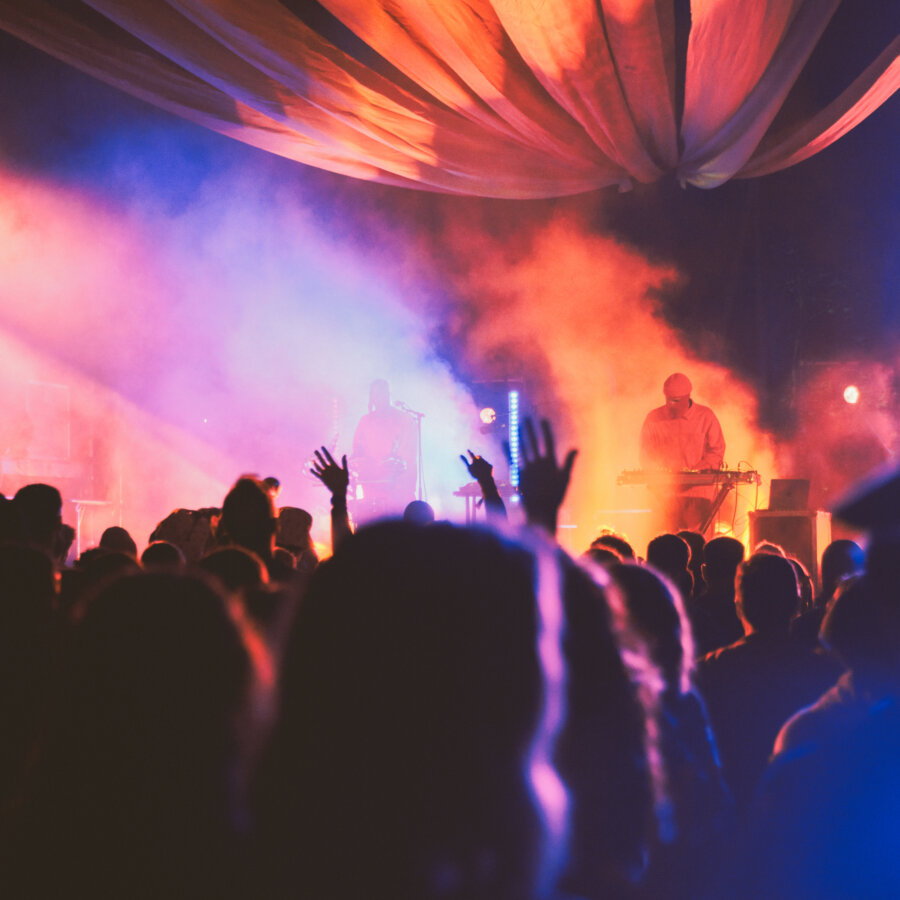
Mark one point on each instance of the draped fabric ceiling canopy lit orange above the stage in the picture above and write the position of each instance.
(501, 98)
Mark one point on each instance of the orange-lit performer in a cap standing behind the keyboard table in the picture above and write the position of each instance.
(682, 435)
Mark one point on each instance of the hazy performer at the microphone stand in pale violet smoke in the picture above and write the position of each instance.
(384, 456)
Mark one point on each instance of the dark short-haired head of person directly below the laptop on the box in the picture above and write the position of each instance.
(768, 595)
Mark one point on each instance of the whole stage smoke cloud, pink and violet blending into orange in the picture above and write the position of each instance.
(212, 321)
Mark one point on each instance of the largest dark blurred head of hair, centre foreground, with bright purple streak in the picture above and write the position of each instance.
(413, 695)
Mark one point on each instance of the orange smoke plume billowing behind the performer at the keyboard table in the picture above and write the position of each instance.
(577, 310)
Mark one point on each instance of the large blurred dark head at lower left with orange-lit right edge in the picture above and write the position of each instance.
(135, 792)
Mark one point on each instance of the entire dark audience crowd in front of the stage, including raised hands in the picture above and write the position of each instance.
(438, 712)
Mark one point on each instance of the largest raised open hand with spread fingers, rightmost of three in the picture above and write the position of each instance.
(543, 482)
